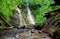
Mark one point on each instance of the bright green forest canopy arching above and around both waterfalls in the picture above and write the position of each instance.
(38, 8)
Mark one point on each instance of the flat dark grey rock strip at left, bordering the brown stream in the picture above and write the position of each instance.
(11, 31)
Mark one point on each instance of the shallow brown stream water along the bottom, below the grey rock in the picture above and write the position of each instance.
(26, 35)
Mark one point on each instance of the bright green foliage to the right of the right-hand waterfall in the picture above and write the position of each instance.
(45, 7)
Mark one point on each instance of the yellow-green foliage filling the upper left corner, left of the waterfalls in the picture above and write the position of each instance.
(7, 6)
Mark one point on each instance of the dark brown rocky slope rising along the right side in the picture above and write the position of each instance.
(52, 24)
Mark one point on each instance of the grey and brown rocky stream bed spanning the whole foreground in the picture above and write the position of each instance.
(23, 34)
